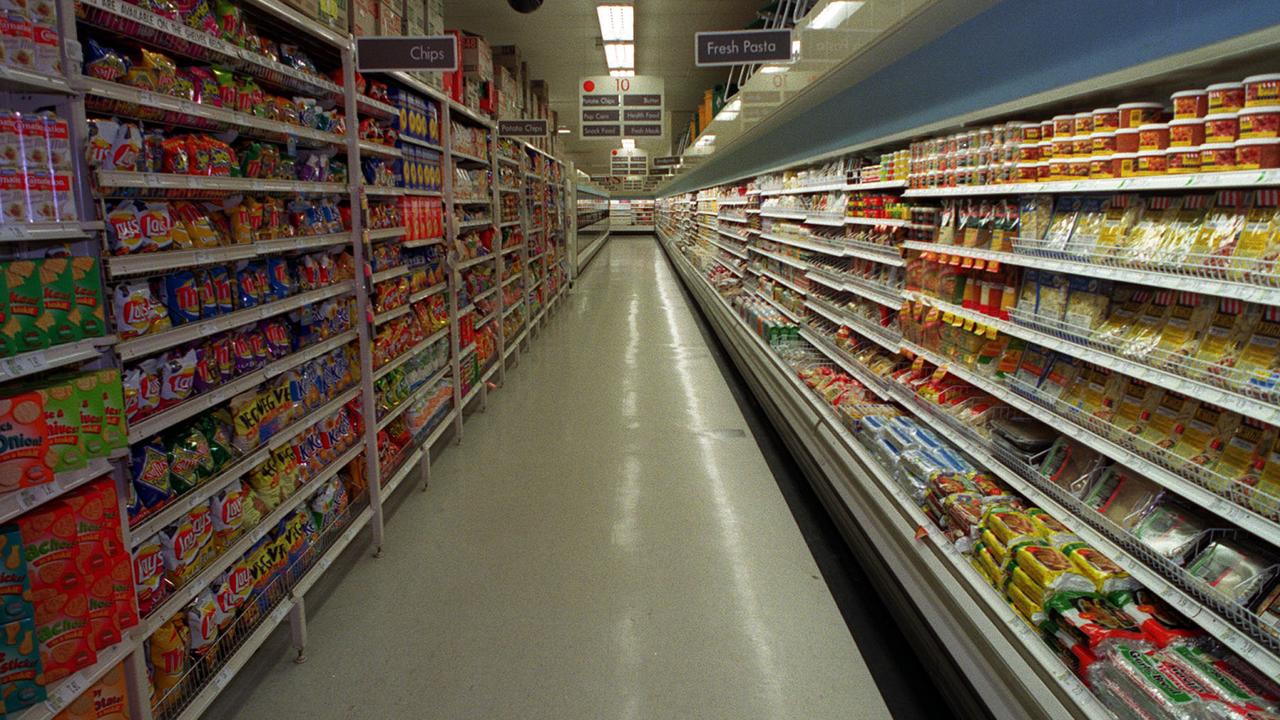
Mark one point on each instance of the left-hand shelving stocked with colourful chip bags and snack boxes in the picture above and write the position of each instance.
(250, 290)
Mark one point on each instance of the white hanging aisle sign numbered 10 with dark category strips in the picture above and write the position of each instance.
(612, 108)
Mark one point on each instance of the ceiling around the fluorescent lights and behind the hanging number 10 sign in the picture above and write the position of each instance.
(561, 44)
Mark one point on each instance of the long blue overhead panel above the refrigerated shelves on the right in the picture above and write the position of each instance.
(1013, 51)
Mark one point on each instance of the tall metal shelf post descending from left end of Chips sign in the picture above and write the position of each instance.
(360, 206)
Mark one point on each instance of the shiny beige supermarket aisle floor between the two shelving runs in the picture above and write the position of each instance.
(607, 543)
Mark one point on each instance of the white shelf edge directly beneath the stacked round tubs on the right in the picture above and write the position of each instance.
(1196, 181)
